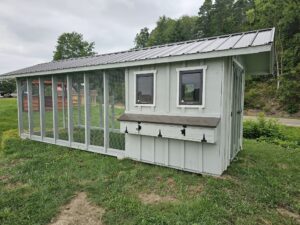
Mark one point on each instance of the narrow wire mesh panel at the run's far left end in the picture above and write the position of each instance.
(24, 110)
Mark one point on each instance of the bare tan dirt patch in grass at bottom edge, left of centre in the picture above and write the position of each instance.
(79, 212)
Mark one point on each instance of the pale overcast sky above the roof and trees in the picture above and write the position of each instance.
(29, 29)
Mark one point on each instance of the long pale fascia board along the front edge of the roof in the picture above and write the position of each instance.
(185, 57)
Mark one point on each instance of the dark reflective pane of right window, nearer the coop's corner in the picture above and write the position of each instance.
(191, 87)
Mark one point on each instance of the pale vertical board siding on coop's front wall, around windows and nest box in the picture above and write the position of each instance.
(185, 155)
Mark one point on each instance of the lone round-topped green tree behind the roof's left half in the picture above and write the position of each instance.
(72, 45)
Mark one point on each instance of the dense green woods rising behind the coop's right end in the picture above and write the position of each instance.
(229, 16)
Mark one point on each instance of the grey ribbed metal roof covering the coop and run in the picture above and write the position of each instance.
(221, 44)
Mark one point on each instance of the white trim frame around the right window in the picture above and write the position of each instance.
(204, 86)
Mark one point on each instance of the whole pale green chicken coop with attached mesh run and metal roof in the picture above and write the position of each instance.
(177, 105)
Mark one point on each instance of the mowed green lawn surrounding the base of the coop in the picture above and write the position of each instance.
(36, 179)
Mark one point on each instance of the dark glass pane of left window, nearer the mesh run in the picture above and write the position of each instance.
(144, 89)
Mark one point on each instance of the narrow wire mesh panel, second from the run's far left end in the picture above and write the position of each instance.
(35, 101)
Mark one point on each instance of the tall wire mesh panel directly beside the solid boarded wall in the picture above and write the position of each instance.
(116, 84)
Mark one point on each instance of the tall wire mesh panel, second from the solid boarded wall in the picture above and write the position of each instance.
(96, 101)
